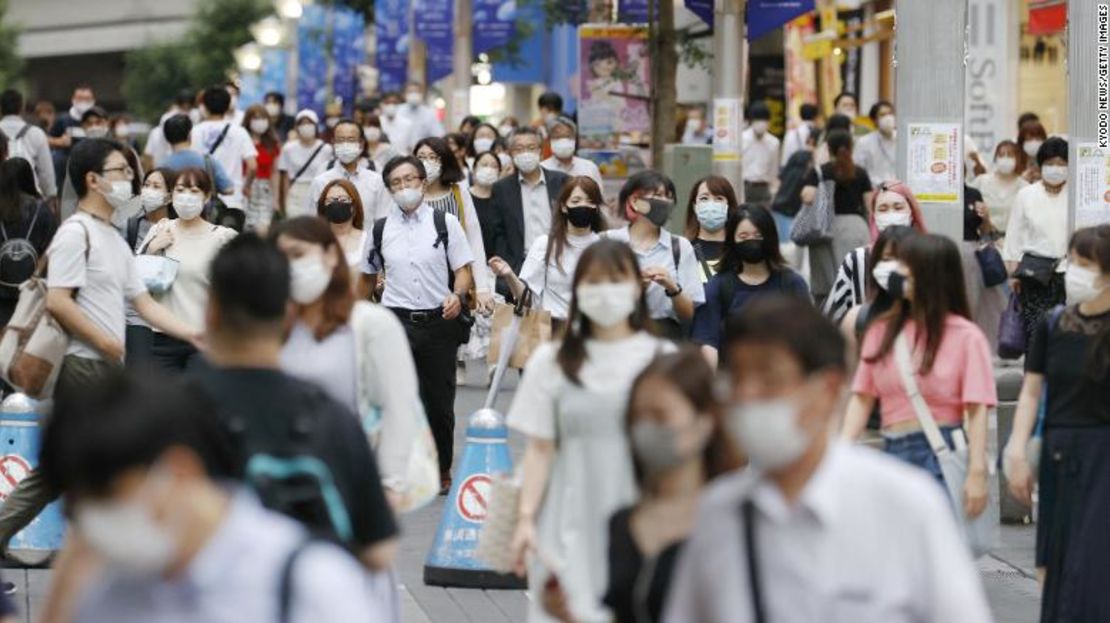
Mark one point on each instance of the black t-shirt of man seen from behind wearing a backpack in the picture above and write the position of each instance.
(268, 400)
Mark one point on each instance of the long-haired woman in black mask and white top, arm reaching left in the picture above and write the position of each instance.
(552, 259)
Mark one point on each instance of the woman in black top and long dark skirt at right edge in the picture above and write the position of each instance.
(1064, 400)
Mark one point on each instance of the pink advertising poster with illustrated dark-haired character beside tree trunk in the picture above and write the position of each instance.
(614, 81)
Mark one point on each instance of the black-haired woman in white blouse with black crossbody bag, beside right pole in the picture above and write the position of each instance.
(1037, 239)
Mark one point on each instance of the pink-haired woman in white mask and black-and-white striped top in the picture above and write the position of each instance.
(893, 205)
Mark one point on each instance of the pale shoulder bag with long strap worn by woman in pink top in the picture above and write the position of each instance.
(982, 532)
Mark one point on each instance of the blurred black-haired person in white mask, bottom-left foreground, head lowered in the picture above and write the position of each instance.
(160, 519)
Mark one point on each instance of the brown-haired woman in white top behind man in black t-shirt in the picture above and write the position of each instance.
(355, 350)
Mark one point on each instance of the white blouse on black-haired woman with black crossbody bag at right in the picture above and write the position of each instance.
(1038, 225)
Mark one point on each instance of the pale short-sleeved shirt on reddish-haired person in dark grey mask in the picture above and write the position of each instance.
(688, 275)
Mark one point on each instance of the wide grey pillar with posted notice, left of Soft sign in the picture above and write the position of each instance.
(930, 91)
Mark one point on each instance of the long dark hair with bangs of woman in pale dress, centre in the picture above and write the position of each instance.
(618, 259)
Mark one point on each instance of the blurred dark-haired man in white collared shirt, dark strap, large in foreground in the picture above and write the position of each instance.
(815, 529)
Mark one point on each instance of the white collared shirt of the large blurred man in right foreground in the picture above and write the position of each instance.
(870, 539)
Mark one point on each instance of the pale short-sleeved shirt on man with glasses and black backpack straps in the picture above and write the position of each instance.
(417, 269)
